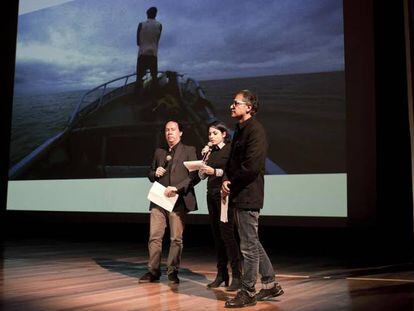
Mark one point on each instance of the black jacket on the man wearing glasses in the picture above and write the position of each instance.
(246, 166)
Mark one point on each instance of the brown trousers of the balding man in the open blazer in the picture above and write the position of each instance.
(158, 222)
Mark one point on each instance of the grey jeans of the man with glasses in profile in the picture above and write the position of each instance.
(255, 257)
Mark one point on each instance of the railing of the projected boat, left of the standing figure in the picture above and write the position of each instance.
(101, 91)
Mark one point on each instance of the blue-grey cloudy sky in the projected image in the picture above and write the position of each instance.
(82, 43)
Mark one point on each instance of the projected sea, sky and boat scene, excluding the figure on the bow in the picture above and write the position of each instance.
(78, 113)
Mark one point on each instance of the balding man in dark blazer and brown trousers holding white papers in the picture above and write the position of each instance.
(168, 169)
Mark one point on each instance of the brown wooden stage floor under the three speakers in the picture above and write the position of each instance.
(71, 275)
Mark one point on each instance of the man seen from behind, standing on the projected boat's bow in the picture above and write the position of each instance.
(148, 37)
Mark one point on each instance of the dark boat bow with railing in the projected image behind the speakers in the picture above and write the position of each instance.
(115, 129)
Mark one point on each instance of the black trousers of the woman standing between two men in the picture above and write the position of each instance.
(227, 248)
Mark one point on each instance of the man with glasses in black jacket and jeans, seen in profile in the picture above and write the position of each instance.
(244, 184)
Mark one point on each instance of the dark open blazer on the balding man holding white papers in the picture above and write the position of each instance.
(179, 176)
